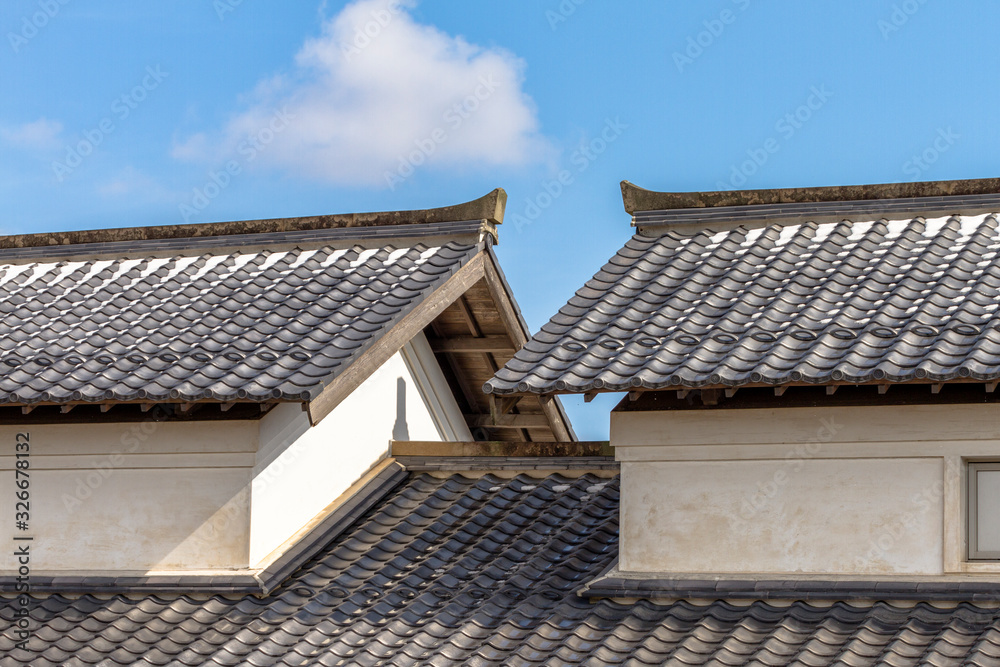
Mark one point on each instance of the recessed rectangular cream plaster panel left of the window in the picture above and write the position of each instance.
(826, 516)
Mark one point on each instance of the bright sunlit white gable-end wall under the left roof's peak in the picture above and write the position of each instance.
(300, 471)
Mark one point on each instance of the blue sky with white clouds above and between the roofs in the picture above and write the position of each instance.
(116, 114)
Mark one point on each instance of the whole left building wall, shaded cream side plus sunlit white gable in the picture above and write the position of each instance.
(220, 495)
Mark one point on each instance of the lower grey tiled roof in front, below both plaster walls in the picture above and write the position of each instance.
(461, 571)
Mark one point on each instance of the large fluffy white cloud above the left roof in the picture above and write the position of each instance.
(378, 90)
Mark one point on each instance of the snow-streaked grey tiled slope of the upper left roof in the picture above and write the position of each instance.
(205, 323)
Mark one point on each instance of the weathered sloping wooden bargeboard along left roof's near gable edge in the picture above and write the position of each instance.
(393, 340)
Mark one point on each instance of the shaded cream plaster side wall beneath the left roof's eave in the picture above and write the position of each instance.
(132, 497)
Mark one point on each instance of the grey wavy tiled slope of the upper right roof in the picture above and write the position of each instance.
(840, 302)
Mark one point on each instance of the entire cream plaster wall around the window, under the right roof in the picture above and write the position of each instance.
(855, 491)
